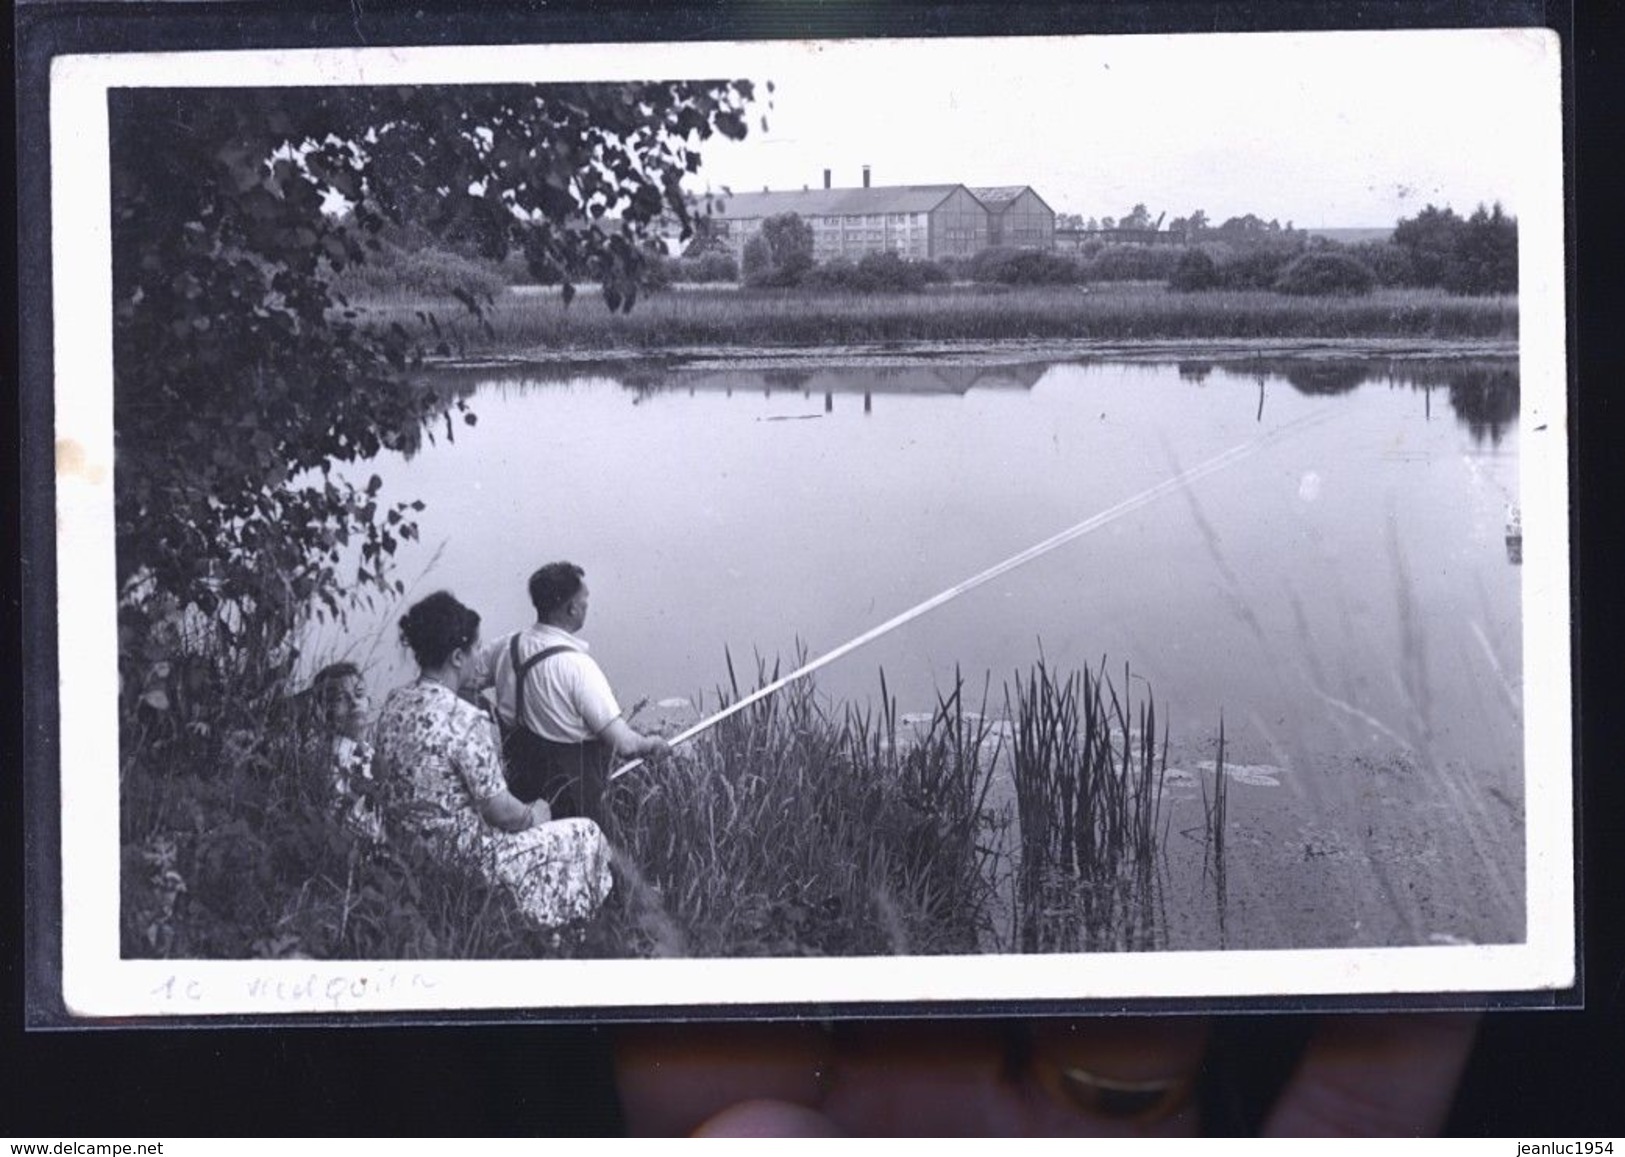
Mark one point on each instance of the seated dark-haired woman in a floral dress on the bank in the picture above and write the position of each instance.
(441, 753)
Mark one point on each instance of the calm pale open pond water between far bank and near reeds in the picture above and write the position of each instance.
(1348, 587)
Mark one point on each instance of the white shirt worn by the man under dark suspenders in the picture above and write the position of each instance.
(568, 700)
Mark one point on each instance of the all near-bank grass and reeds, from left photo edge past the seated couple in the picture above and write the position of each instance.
(794, 830)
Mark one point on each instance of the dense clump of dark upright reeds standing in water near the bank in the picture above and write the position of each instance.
(1090, 802)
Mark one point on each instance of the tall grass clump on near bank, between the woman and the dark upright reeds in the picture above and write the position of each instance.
(792, 830)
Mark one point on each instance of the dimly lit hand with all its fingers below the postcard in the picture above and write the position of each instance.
(1376, 1075)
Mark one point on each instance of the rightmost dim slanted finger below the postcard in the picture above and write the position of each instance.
(1380, 1075)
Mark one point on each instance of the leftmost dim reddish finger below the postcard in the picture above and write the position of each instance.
(674, 1078)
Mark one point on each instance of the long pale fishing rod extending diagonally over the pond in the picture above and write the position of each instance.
(1090, 526)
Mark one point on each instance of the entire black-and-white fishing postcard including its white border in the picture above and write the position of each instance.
(813, 524)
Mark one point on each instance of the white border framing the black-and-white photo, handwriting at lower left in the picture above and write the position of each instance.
(97, 982)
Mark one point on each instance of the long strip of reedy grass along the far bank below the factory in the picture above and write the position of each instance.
(535, 323)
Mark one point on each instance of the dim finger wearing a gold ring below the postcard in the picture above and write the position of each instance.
(1117, 1077)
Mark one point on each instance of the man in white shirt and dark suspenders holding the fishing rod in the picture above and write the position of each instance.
(560, 721)
